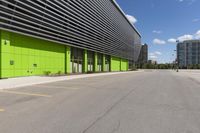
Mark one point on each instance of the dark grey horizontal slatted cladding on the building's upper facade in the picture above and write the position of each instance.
(97, 25)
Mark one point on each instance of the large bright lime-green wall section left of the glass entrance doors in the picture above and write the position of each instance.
(25, 56)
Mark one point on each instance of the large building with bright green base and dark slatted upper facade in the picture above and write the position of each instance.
(39, 37)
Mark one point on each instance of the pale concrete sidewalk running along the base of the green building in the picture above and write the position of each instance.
(33, 80)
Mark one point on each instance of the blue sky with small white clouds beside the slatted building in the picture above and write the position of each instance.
(162, 22)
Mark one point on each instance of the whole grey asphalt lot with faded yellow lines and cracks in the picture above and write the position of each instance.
(144, 102)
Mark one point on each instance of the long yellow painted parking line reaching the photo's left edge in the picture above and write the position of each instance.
(24, 93)
